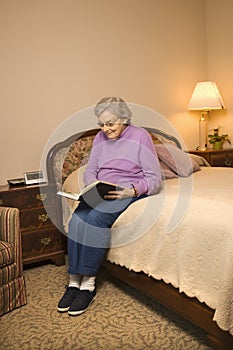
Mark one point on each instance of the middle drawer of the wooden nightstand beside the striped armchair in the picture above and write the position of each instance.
(36, 219)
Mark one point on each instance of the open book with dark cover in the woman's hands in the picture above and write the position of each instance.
(94, 192)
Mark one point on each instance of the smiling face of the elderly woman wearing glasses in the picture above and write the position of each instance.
(111, 125)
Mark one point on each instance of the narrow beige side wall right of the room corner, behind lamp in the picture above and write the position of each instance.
(220, 58)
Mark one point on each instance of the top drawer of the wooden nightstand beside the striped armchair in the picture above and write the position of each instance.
(33, 197)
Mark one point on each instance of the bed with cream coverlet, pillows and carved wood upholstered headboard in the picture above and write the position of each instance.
(182, 237)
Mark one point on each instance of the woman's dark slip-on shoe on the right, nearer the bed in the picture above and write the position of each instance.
(82, 302)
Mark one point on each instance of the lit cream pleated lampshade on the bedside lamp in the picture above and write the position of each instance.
(206, 96)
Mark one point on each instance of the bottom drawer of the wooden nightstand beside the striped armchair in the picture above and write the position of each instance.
(39, 243)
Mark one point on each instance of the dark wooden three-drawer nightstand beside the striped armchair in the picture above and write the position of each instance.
(41, 240)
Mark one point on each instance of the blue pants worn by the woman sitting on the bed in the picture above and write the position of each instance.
(89, 234)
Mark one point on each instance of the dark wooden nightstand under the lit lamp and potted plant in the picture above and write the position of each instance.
(217, 158)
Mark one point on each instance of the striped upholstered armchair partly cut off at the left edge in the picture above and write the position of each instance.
(12, 284)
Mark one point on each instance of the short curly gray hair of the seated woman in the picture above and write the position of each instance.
(114, 105)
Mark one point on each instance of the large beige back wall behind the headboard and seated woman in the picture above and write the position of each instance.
(60, 56)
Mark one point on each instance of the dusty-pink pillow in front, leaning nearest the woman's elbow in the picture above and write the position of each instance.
(176, 159)
